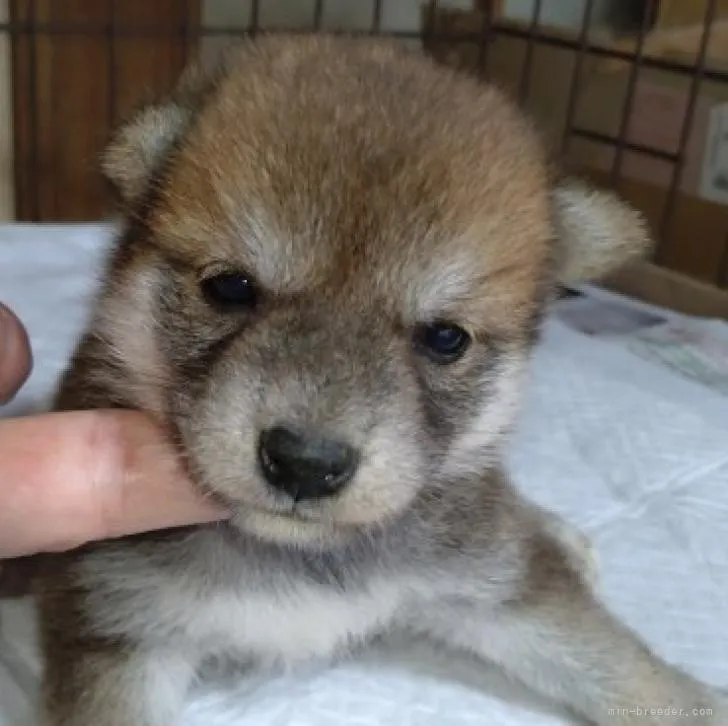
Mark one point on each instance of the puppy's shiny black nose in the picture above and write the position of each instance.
(303, 465)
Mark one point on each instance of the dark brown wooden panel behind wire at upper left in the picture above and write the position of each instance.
(78, 67)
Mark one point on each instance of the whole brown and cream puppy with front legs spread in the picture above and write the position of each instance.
(334, 262)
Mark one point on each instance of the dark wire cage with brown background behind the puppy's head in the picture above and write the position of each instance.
(630, 93)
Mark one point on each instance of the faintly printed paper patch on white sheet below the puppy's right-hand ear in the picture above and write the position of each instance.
(695, 348)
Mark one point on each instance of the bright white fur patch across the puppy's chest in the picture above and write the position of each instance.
(292, 625)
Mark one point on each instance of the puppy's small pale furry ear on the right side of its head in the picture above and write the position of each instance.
(597, 232)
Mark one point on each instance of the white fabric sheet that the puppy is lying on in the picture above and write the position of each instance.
(630, 452)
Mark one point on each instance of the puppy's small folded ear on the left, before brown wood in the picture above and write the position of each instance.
(139, 146)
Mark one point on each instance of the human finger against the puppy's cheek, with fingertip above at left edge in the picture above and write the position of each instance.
(71, 478)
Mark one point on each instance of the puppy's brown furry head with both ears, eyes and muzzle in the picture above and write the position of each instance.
(336, 259)
